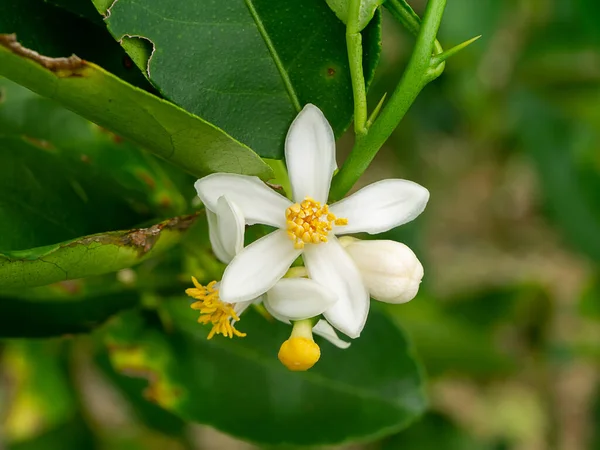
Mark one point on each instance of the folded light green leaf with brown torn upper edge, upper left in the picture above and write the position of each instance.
(155, 124)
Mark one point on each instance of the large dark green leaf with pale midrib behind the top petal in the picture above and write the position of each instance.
(247, 67)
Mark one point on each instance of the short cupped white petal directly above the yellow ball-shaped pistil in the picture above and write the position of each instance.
(298, 298)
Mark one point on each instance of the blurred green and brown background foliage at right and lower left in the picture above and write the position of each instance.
(507, 322)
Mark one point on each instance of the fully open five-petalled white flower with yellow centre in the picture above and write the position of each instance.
(310, 158)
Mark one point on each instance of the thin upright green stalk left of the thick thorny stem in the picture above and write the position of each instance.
(354, 47)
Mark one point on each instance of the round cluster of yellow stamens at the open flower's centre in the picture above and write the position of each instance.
(310, 223)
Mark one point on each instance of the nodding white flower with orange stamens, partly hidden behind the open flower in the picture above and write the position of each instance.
(291, 299)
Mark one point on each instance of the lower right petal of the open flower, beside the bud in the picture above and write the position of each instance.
(330, 265)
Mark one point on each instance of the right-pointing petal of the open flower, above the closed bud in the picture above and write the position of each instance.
(381, 206)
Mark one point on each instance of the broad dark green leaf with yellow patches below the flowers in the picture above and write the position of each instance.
(370, 390)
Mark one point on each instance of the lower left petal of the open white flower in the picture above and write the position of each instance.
(258, 267)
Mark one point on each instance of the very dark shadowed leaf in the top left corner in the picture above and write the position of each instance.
(56, 32)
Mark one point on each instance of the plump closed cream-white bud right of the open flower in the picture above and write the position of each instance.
(390, 270)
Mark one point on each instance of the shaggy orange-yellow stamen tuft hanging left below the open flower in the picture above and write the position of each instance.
(213, 310)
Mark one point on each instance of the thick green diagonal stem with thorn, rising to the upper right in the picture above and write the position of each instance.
(413, 80)
